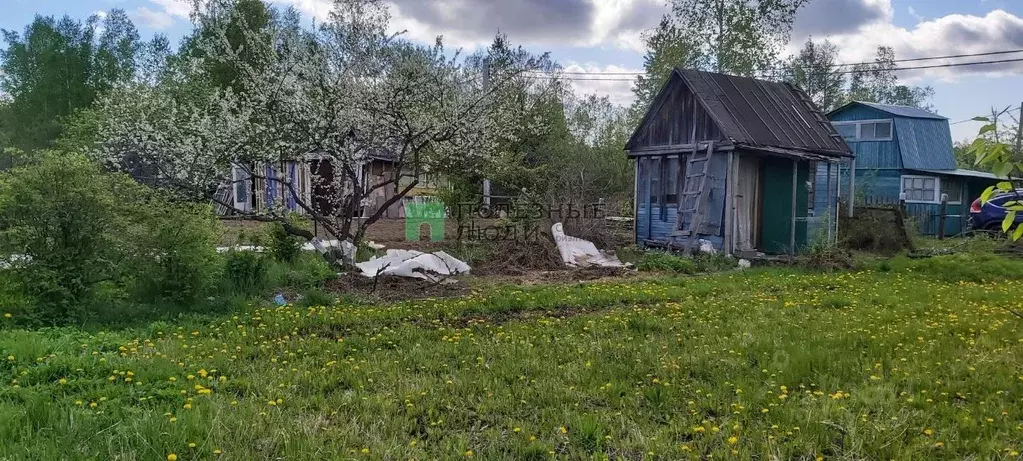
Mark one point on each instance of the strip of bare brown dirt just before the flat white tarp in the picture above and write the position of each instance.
(391, 290)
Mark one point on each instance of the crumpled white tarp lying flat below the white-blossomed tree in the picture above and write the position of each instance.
(407, 263)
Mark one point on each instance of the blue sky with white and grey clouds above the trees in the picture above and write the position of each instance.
(605, 35)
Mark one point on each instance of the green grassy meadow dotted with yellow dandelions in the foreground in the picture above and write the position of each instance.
(911, 360)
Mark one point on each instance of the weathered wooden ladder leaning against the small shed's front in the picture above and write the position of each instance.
(693, 204)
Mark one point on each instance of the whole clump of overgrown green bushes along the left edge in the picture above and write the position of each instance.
(79, 241)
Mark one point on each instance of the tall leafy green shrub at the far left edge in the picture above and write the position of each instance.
(62, 224)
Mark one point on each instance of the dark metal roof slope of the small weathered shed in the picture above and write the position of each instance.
(762, 114)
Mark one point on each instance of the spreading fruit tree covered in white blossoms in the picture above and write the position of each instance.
(345, 93)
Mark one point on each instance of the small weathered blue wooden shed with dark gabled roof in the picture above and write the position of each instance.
(743, 165)
